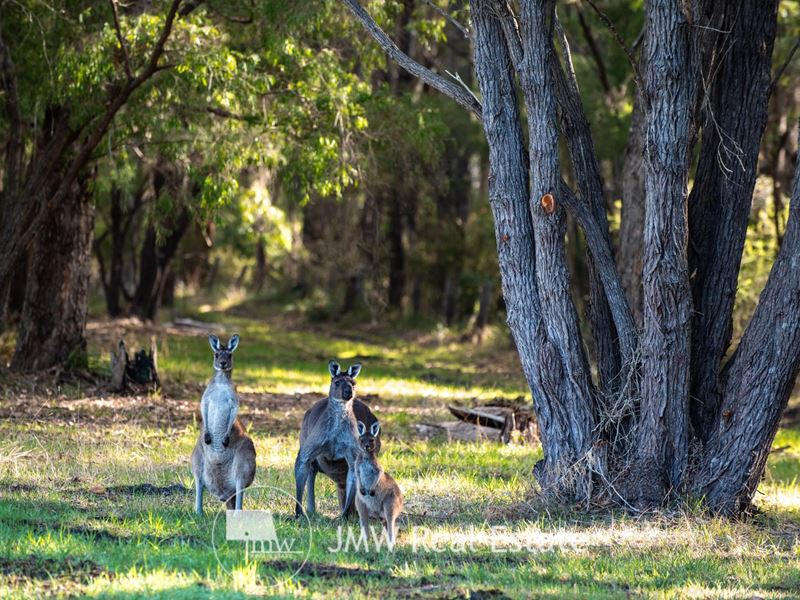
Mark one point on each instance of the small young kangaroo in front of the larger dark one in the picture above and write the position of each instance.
(378, 495)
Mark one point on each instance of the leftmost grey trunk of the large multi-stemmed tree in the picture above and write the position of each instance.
(565, 414)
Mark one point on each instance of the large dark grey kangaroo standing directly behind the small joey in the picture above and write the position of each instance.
(328, 440)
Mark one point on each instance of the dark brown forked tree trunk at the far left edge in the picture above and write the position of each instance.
(55, 157)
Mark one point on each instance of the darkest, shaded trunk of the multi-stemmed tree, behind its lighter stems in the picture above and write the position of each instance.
(734, 118)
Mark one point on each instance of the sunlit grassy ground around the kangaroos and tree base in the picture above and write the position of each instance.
(96, 493)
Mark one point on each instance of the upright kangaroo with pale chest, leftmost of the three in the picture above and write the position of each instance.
(224, 458)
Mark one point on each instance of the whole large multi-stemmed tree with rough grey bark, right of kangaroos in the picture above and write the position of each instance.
(527, 197)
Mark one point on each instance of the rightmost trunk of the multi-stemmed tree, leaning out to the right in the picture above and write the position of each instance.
(756, 383)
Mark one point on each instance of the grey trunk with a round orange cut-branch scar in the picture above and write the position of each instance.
(563, 365)
